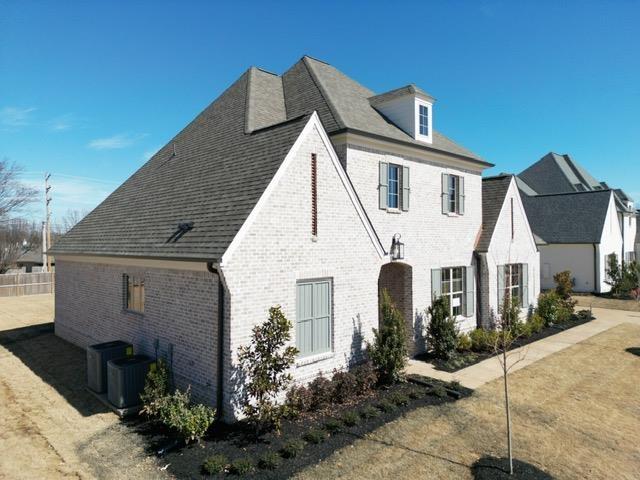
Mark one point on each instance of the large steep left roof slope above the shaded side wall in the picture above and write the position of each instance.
(214, 180)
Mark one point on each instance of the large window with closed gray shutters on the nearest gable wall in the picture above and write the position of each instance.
(313, 317)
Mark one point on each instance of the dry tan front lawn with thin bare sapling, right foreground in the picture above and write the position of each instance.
(576, 414)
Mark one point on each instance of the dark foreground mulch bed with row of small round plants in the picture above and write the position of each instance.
(238, 441)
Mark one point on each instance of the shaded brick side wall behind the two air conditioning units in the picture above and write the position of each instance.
(180, 309)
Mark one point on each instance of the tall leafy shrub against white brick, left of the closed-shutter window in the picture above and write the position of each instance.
(265, 362)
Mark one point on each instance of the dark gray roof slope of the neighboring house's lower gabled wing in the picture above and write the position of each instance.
(569, 217)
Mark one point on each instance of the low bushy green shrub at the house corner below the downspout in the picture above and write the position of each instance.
(190, 422)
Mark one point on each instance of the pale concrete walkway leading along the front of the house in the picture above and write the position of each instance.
(477, 375)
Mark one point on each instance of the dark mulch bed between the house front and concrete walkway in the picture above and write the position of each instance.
(466, 359)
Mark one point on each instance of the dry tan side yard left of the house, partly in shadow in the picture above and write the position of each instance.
(50, 427)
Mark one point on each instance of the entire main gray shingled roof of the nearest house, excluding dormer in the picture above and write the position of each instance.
(223, 161)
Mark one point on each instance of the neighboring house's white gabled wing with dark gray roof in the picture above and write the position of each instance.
(576, 232)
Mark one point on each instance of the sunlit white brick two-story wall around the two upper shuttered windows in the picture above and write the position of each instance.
(432, 239)
